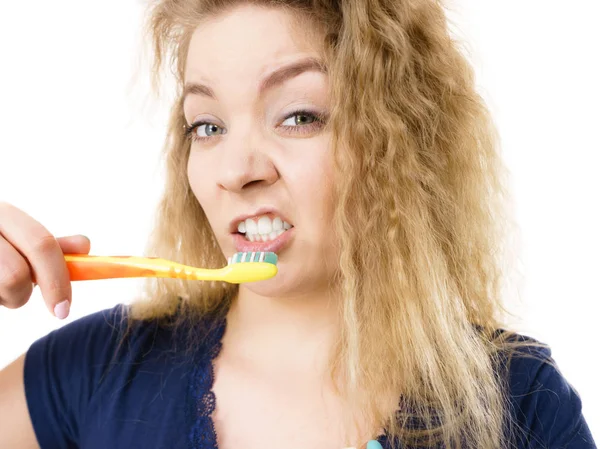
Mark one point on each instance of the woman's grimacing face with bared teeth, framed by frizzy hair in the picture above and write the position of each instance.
(256, 103)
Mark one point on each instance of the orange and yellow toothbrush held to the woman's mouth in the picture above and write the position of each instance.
(241, 267)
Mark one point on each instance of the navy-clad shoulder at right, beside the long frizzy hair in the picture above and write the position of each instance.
(546, 408)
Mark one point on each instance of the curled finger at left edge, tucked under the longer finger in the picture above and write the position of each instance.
(15, 277)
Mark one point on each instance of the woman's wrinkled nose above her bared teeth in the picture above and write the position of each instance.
(246, 162)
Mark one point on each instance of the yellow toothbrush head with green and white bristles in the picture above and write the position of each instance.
(250, 267)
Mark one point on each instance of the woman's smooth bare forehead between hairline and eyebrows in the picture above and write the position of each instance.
(245, 42)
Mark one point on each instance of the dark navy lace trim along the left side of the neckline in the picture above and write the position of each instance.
(203, 401)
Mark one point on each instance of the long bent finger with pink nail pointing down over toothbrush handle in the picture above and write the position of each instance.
(44, 255)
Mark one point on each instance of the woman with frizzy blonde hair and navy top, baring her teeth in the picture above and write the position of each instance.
(359, 125)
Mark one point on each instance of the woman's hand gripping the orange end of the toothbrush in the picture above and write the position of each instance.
(27, 252)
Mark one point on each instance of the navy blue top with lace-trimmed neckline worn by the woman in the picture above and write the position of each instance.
(85, 390)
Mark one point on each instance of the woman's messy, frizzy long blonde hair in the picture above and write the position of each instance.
(421, 216)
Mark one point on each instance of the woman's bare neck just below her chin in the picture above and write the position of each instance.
(292, 333)
